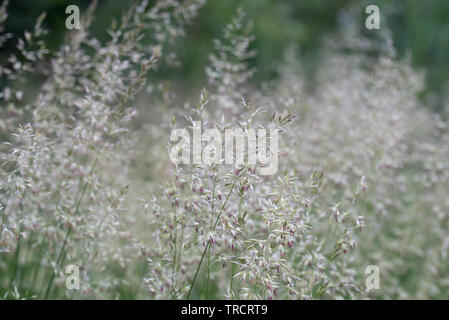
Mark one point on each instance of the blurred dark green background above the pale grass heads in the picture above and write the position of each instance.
(419, 28)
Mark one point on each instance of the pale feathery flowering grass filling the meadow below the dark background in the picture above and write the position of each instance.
(86, 177)
